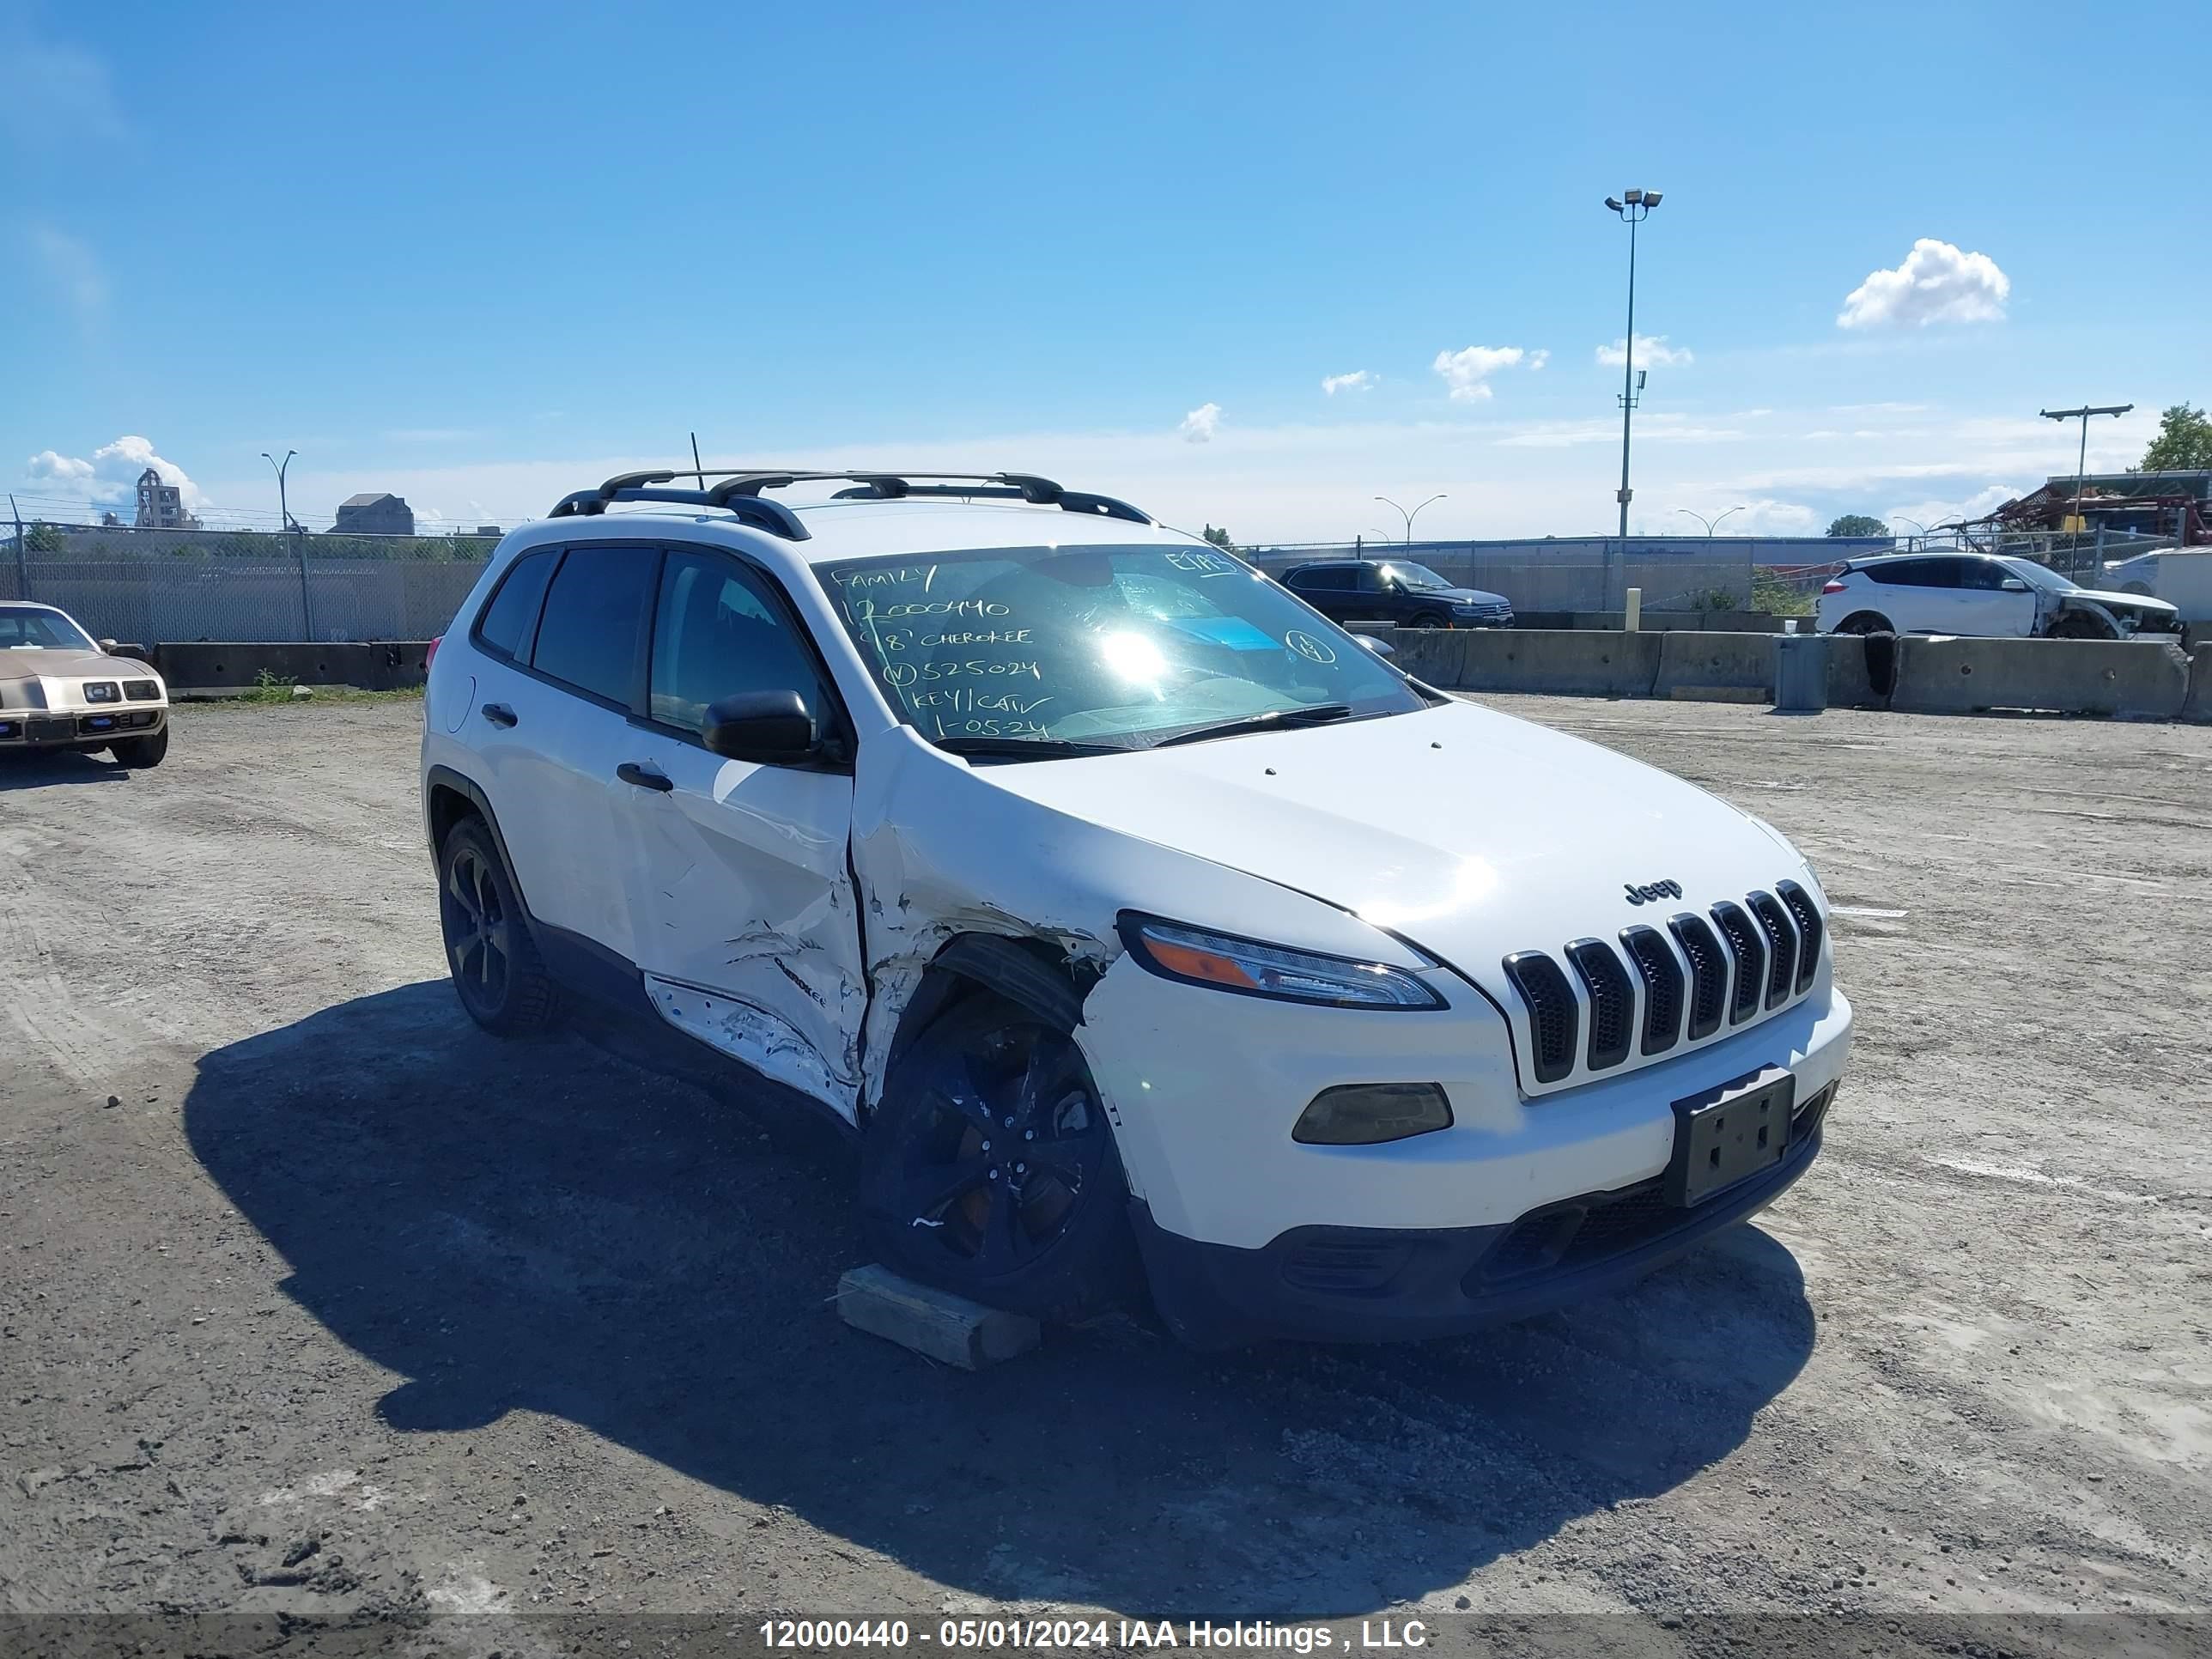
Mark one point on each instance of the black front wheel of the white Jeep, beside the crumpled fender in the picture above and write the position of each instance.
(954, 1200)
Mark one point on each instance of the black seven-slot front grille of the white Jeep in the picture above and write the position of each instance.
(1742, 959)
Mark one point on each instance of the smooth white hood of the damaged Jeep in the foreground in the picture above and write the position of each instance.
(1465, 831)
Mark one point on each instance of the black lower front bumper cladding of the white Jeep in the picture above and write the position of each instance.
(1397, 1284)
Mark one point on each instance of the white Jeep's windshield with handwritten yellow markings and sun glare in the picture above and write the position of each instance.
(1100, 647)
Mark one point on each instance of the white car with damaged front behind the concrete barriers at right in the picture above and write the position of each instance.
(1987, 596)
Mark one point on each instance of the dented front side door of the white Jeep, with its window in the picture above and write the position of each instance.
(747, 926)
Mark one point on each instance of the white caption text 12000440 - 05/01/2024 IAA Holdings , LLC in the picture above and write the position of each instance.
(1089, 1634)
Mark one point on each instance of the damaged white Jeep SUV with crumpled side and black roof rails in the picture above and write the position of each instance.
(1136, 919)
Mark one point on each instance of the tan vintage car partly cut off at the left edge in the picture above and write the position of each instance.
(63, 691)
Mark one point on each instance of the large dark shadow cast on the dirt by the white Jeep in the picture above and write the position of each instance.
(543, 1227)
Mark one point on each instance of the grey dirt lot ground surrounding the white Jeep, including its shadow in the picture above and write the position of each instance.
(320, 1302)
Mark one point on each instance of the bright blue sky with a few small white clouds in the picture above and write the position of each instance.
(488, 253)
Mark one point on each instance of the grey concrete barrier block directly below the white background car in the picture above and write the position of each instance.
(2120, 678)
